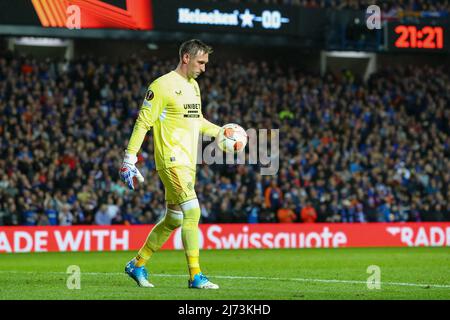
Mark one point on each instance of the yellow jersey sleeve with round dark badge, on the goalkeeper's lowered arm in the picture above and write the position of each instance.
(152, 106)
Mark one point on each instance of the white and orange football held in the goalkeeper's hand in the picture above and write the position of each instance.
(232, 138)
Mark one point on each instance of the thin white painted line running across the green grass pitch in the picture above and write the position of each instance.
(249, 278)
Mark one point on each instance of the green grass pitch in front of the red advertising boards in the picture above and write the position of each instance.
(274, 274)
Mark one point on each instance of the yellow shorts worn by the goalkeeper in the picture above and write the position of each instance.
(178, 184)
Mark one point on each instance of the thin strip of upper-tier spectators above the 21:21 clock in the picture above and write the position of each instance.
(391, 7)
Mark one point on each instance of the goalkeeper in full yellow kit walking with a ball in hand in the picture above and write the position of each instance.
(172, 106)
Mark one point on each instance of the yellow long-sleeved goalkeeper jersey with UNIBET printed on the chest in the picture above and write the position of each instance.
(173, 107)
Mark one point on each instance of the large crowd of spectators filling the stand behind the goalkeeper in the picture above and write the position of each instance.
(349, 151)
